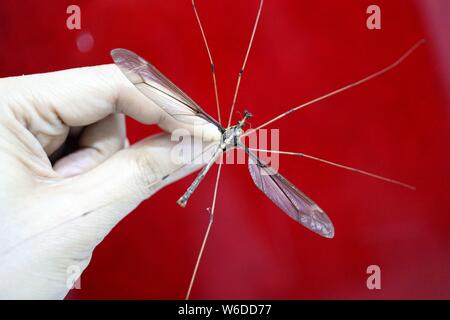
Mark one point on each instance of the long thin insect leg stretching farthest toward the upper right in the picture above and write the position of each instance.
(354, 84)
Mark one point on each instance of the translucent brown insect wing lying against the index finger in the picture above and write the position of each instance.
(159, 89)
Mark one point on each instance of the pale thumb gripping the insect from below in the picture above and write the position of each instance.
(118, 185)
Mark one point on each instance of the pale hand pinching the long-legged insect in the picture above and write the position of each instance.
(53, 216)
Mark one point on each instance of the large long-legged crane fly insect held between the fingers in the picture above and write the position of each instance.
(155, 86)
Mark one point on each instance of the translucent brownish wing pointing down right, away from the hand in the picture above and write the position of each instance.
(289, 199)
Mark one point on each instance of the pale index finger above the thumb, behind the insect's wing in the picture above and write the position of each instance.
(82, 96)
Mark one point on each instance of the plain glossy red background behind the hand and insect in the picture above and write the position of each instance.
(396, 125)
